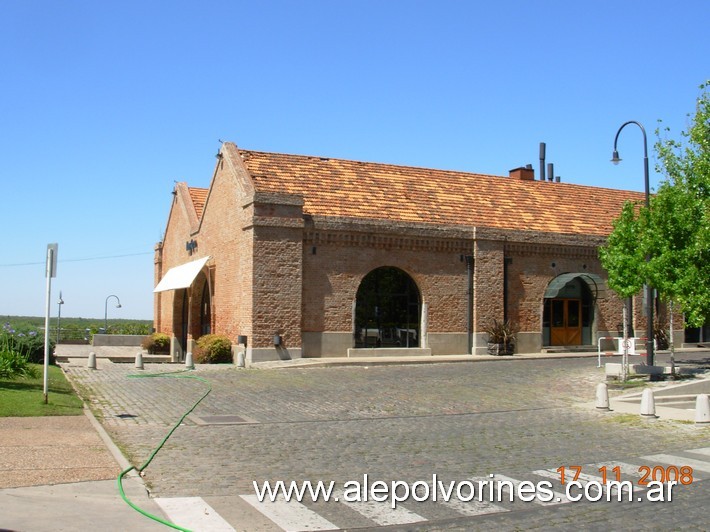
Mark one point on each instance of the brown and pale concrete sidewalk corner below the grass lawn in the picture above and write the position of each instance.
(59, 473)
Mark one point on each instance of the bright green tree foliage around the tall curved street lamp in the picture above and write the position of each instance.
(675, 233)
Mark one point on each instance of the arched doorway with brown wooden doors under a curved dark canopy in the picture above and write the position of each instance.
(568, 312)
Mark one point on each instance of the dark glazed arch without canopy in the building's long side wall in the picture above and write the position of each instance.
(387, 310)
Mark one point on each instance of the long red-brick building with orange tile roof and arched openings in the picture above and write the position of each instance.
(311, 256)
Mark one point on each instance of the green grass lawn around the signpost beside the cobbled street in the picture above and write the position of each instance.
(25, 397)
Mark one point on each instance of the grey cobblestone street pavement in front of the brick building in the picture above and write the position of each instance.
(405, 423)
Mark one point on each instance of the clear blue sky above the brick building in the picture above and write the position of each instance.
(105, 104)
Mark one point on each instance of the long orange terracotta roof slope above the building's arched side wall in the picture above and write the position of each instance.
(336, 187)
